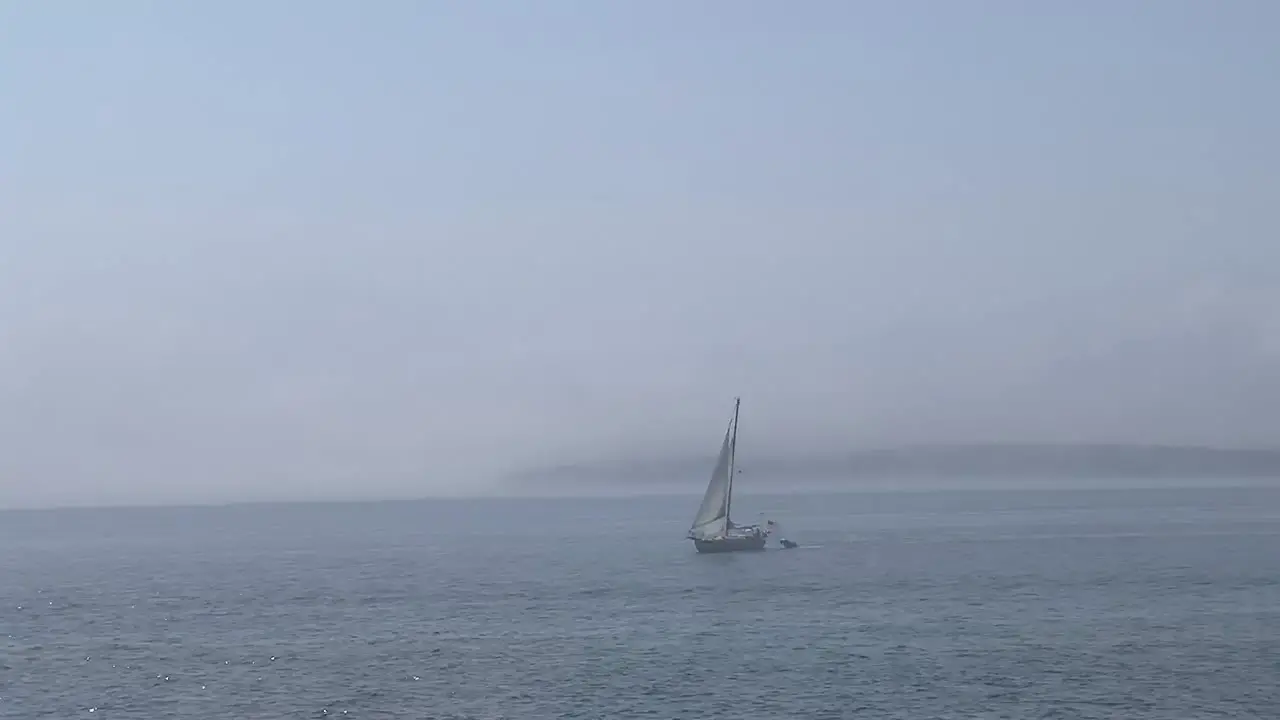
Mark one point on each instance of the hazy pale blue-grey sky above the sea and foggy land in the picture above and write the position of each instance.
(333, 249)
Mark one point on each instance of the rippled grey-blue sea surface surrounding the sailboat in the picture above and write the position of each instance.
(1135, 604)
